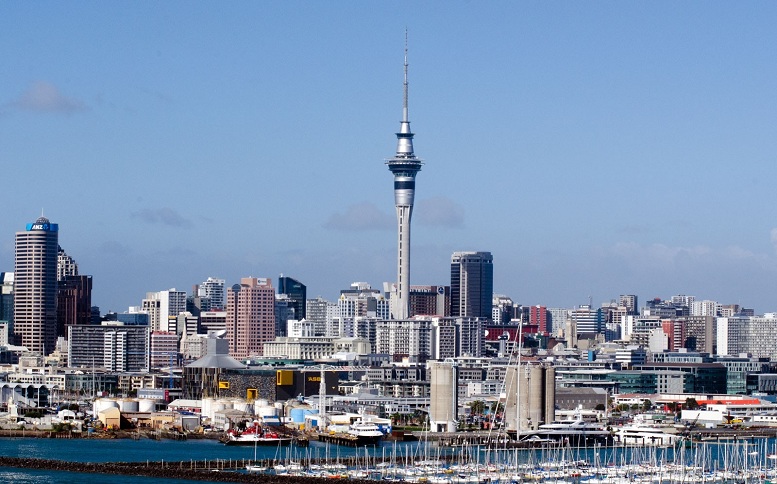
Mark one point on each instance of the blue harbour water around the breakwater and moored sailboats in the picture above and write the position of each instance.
(735, 455)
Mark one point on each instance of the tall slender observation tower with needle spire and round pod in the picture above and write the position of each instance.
(404, 165)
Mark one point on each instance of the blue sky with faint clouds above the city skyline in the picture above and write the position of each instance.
(594, 148)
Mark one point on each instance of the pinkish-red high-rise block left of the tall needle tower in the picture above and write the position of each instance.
(250, 316)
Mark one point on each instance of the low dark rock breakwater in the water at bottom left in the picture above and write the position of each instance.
(215, 471)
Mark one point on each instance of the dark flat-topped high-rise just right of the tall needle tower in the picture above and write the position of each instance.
(472, 284)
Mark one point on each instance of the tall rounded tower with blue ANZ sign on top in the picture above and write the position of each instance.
(35, 286)
